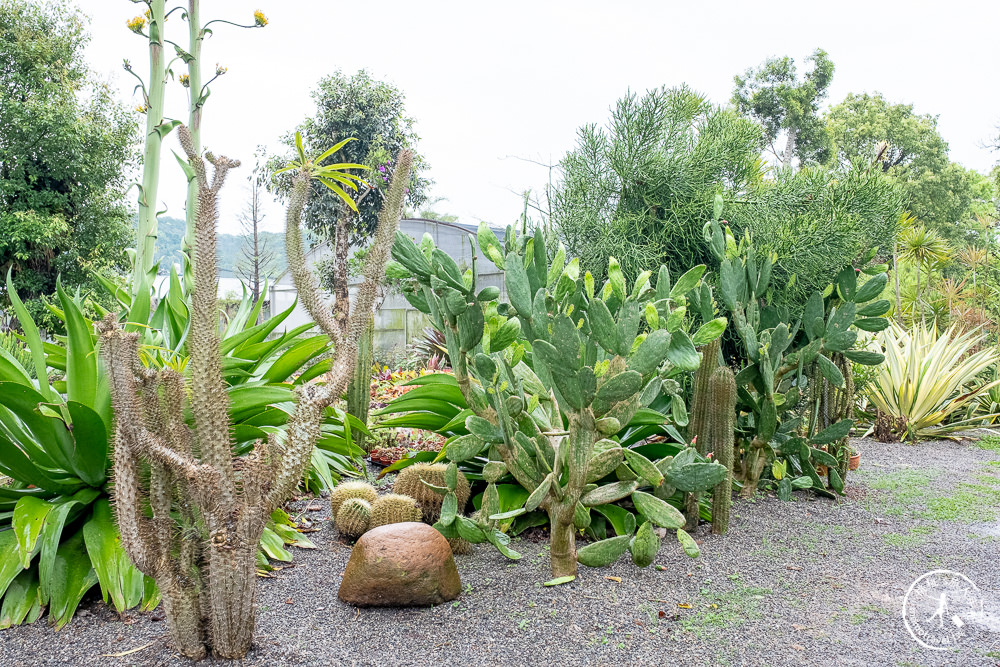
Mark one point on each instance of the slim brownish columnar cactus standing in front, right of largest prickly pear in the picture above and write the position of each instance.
(719, 436)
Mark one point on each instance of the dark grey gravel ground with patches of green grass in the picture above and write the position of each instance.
(794, 583)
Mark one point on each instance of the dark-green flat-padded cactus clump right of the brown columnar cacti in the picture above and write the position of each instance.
(785, 351)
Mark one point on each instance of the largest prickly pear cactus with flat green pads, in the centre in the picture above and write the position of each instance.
(551, 377)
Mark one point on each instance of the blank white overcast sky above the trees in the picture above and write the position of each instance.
(490, 82)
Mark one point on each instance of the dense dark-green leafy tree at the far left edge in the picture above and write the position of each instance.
(66, 153)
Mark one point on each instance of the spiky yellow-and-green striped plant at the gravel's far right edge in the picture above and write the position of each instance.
(929, 376)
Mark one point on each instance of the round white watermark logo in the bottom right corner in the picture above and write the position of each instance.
(938, 608)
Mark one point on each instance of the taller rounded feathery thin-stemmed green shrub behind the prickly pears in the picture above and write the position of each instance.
(641, 188)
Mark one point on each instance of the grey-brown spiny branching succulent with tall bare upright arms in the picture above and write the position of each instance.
(208, 508)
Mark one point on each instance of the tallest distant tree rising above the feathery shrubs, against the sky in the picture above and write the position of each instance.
(773, 95)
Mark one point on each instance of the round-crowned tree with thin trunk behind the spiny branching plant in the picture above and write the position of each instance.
(372, 114)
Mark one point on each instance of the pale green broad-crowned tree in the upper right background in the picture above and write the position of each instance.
(940, 193)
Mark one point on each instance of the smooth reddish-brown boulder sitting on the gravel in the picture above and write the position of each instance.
(400, 565)
